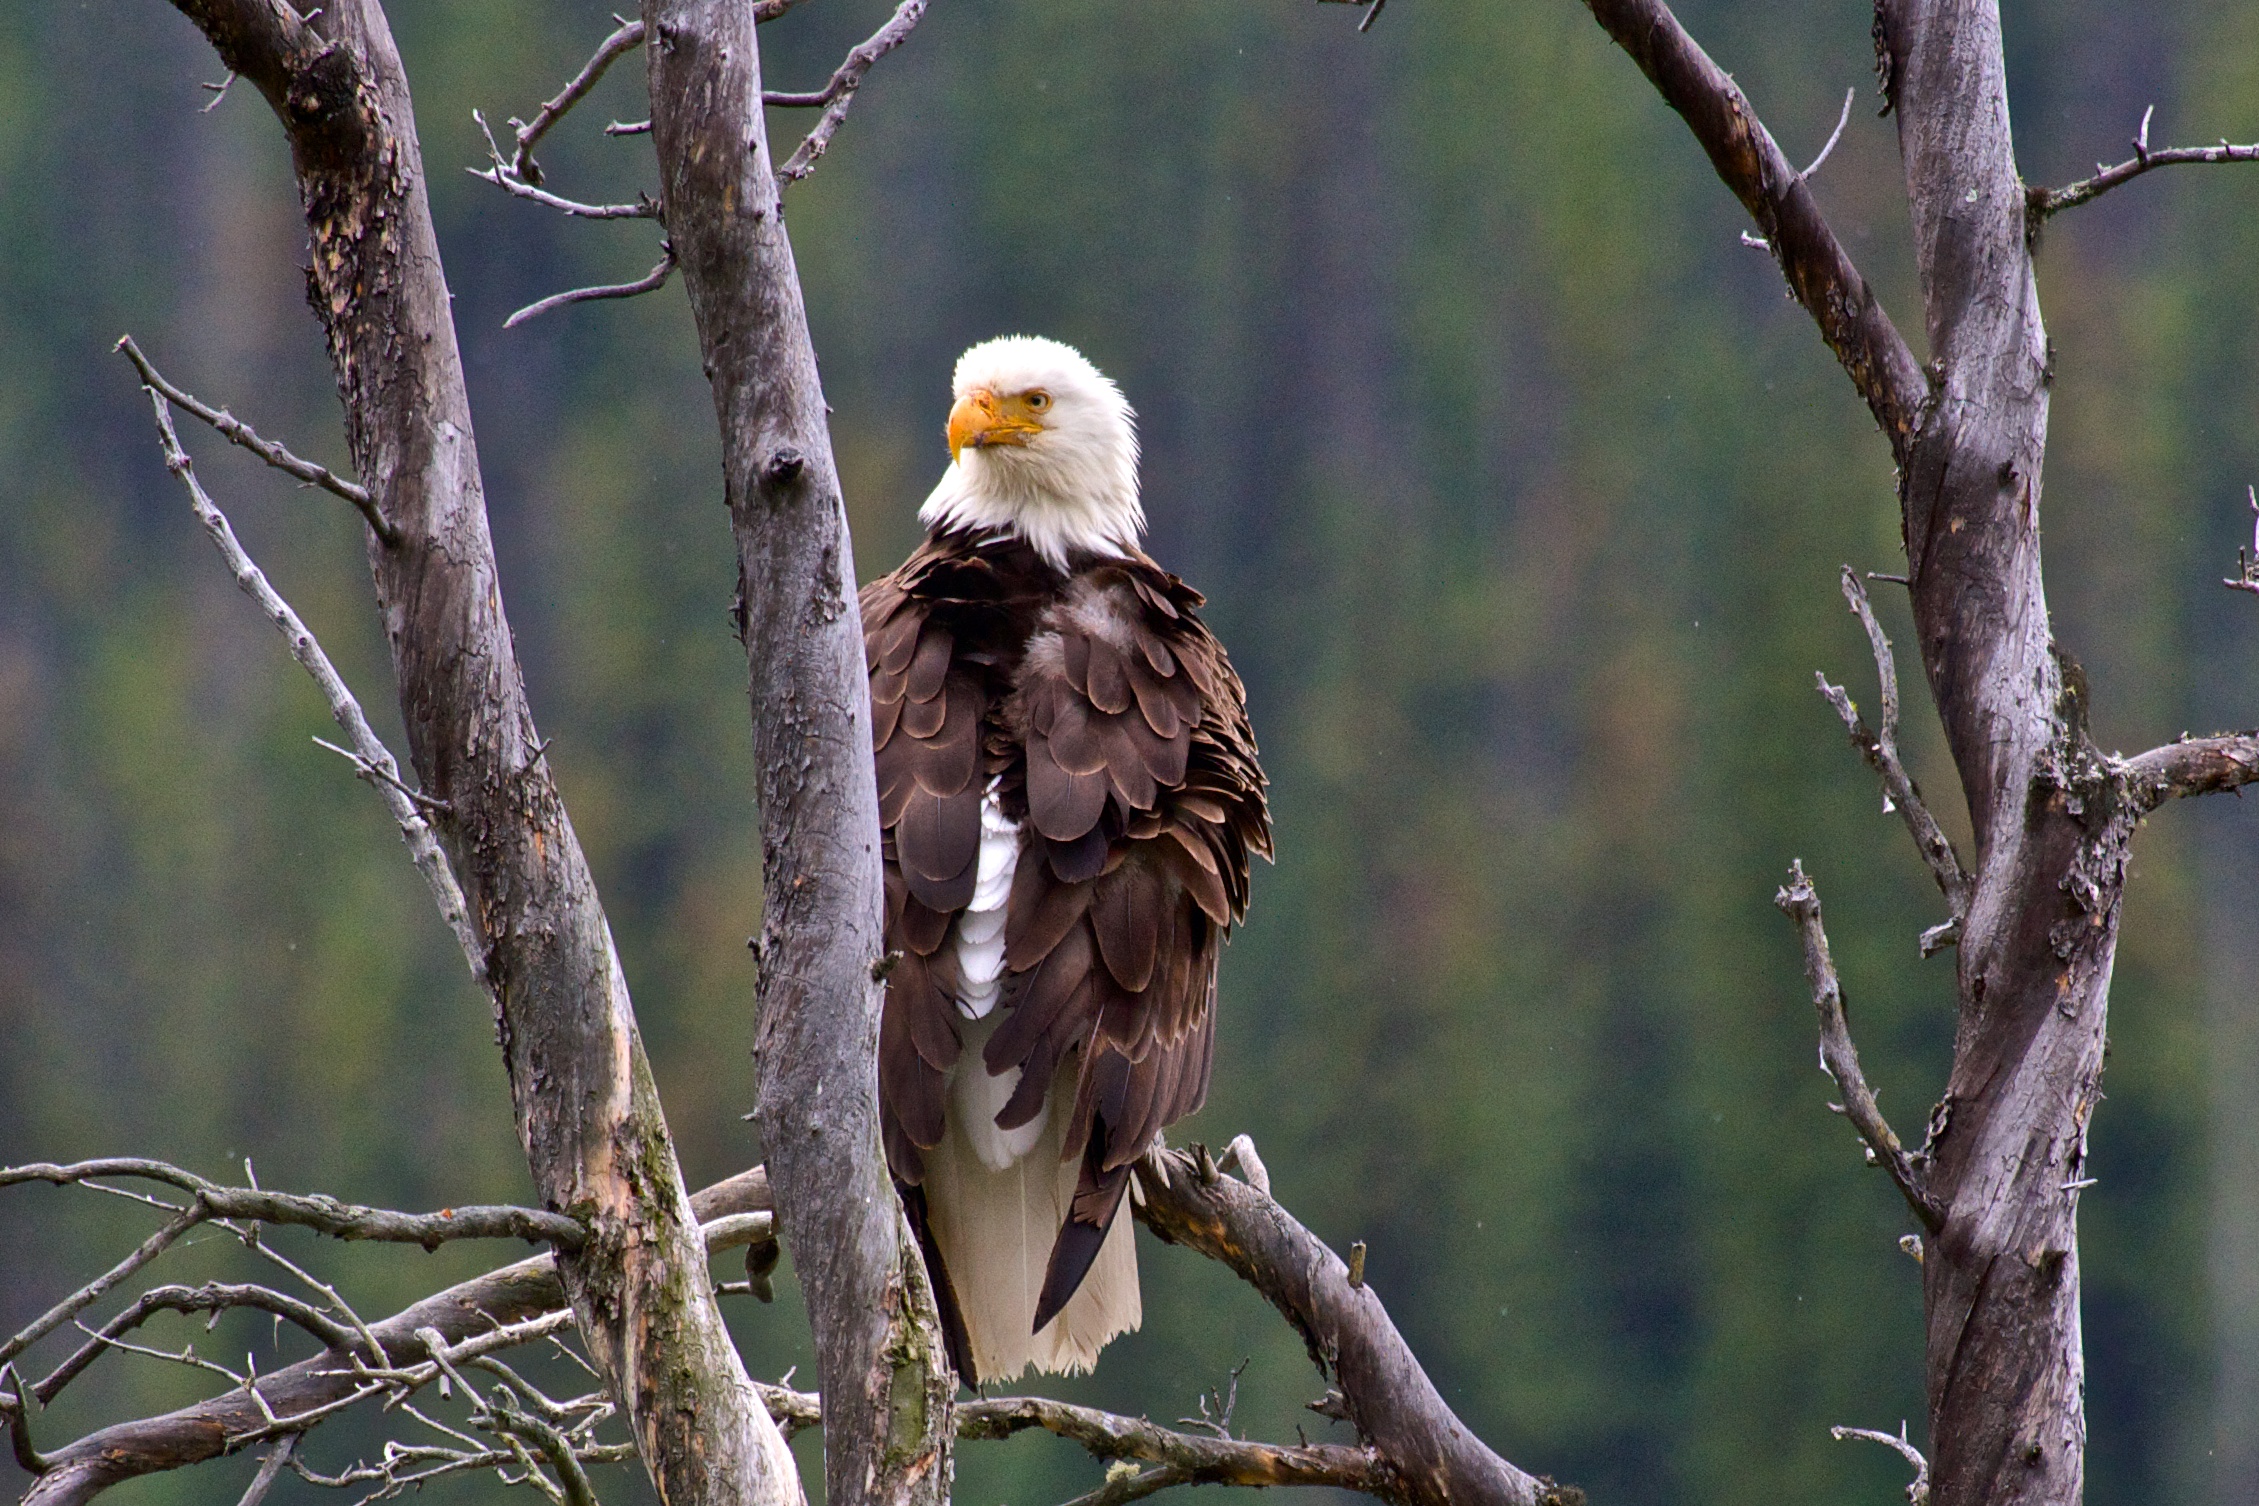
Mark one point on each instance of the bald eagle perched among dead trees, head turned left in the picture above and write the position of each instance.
(1070, 798)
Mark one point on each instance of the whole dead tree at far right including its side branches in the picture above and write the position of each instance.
(2036, 913)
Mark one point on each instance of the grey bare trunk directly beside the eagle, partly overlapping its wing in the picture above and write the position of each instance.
(884, 1374)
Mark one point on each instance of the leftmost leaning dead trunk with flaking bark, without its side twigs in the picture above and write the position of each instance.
(582, 1089)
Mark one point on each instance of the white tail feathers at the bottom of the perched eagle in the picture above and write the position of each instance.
(995, 1229)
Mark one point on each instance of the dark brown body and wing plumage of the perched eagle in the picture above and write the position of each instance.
(1115, 733)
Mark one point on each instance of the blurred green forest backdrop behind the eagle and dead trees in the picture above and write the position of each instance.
(1519, 491)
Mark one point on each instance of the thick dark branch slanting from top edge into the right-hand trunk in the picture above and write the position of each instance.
(1745, 155)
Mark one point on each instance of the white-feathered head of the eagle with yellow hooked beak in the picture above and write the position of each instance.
(1043, 446)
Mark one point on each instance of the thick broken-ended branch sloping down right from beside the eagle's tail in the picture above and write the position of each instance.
(1386, 1394)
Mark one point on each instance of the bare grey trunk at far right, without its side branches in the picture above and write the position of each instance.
(2000, 1281)
